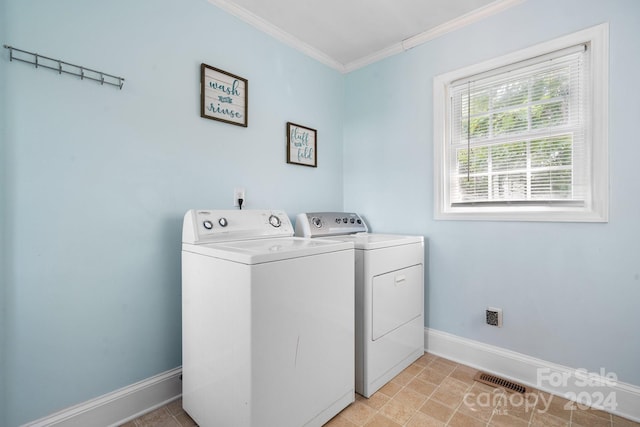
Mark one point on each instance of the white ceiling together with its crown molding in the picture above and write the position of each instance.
(348, 34)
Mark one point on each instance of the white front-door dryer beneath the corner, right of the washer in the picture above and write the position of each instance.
(389, 295)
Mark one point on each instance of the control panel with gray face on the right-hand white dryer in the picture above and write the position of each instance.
(323, 224)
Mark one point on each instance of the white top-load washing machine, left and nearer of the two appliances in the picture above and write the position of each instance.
(267, 321)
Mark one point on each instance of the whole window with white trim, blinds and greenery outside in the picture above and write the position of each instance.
(524, 137)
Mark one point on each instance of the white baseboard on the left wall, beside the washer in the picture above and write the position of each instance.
(119, 406)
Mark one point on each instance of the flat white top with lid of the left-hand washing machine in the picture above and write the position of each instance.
(268, 250)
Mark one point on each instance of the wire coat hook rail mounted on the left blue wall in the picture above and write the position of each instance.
(64, 67)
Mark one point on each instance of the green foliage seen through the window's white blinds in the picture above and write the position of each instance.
(497, 163)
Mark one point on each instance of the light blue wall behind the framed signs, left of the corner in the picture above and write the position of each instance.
(98, 180)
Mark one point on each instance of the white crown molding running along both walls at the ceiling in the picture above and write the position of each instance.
(288, 39)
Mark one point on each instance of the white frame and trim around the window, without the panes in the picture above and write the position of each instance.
(597, 207)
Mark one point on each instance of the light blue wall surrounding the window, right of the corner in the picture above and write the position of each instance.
(569, 292)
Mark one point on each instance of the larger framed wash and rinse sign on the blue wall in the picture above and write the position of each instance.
(223, 96)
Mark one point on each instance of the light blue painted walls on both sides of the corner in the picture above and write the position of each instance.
(94, 182)
